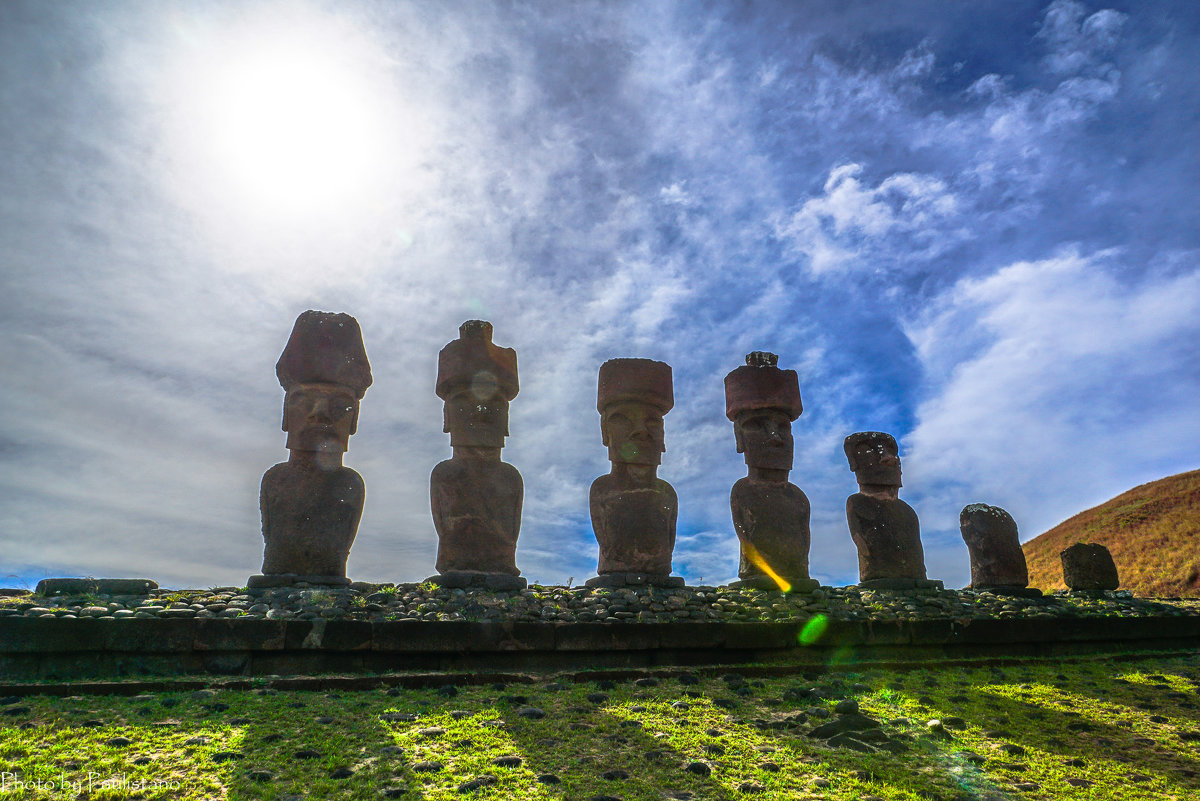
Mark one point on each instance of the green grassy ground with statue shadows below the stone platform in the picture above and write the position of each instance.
(1095, 731)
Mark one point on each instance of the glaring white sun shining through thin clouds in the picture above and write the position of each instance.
(286, 127)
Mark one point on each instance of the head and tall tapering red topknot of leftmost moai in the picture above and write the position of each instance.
(325, 372)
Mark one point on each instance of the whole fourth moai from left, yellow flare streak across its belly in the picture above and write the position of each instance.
(771, 515)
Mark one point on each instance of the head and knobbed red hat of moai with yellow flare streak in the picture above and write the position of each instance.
(763, 401)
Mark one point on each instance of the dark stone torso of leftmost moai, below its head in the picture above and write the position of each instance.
(310, 519)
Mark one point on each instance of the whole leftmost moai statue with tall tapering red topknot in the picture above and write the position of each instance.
(311, 504)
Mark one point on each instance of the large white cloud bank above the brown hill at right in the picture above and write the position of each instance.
(1053, 387)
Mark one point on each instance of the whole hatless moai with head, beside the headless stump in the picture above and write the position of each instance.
(885, 528)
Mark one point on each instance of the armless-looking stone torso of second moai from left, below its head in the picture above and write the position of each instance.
(477, 513)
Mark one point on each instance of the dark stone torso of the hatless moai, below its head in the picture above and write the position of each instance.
(889, 538)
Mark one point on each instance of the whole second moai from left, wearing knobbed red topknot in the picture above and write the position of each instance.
(477, 498)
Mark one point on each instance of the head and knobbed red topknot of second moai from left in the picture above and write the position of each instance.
(477, 381)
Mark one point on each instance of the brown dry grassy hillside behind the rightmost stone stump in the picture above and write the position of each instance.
(1153, 531)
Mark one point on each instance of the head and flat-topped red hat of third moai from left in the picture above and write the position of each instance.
(633, 396)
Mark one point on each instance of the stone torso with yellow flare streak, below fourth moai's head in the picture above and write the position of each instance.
(773, 517)
